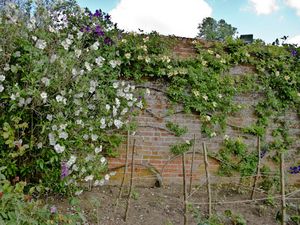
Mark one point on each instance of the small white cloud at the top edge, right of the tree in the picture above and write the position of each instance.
(264, 7)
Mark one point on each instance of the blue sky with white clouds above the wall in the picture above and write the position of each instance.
(265, 19)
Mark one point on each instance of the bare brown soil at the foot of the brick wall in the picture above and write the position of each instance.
(164, 206)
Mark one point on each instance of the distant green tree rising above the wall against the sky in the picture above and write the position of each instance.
(210, 29)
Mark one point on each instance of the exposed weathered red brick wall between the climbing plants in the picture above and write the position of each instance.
(154, 163)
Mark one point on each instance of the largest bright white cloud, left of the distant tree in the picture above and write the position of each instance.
(178, 17)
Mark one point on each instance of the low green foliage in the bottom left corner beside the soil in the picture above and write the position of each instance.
(19, 208)
